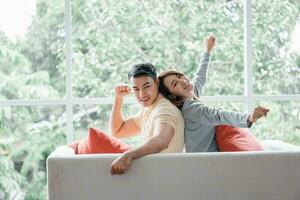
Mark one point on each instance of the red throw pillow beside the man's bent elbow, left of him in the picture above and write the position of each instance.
(98, 142)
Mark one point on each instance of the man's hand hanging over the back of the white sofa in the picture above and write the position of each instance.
(121, 164)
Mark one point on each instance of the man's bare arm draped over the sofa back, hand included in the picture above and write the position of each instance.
(155, 144)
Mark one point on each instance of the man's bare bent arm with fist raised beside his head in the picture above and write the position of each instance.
(119, 126)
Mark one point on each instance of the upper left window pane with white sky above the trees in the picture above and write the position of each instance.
(32, 62)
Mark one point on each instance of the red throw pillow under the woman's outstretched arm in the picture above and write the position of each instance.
(236, 139)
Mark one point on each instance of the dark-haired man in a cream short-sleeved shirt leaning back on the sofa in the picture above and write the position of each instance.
(160, 121)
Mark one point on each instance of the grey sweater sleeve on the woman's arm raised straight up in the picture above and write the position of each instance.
(200, 75)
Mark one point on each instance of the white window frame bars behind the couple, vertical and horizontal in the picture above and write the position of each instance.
(248, 98)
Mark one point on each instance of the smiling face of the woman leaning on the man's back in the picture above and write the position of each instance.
(179, 85)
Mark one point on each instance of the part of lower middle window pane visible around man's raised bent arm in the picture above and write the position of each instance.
(86, 116)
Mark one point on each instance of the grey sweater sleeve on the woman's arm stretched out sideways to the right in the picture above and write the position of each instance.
(196, 112)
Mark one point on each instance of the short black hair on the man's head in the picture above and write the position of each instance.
(145, 69)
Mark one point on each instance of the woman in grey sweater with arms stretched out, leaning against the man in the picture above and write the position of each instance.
(201, 120)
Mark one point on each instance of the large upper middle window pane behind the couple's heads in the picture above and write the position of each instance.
(111, 36)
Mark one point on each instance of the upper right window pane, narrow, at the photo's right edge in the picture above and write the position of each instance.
(276, 52)
